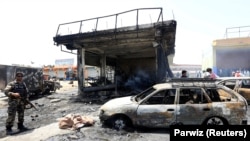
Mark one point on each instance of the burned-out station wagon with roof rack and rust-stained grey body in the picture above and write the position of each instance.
(180, 101)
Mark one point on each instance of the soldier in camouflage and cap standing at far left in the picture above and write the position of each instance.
(16, 91)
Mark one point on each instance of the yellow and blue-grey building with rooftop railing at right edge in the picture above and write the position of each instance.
(231, 54)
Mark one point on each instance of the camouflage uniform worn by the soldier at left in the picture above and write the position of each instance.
(16, 105)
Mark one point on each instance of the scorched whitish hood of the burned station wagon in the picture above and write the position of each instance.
(119, 101)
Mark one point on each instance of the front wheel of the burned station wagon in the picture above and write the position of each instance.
(120, 123)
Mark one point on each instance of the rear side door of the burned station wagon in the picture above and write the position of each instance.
(193, 112)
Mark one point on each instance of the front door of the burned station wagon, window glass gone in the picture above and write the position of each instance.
(158, 110)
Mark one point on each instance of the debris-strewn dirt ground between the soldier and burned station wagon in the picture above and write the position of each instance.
(52, 107)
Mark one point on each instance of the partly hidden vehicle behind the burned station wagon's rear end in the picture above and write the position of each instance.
(238, 84)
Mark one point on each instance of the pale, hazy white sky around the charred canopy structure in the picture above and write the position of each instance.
(27, 27)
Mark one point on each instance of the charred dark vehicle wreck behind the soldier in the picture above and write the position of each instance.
(36, 81)
